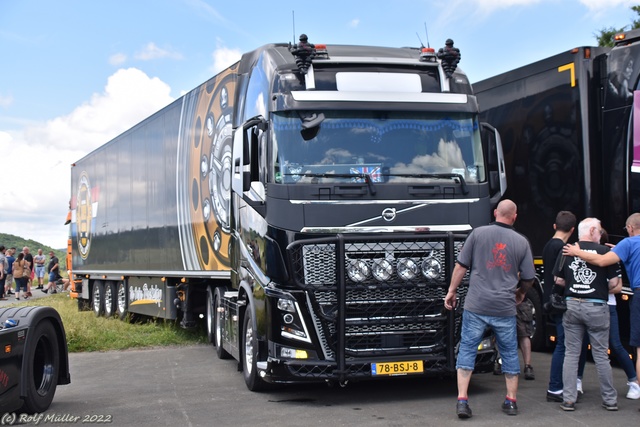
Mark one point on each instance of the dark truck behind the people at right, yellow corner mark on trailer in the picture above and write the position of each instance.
(569, 125)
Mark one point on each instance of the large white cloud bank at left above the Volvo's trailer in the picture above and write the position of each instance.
(36, 162)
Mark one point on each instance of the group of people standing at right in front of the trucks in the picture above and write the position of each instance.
(585, 275)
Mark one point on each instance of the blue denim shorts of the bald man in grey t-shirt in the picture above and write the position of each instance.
(504, 328)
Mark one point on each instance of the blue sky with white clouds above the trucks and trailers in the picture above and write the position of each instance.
(76, 73)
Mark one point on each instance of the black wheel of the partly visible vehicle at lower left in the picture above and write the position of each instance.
(42, 368)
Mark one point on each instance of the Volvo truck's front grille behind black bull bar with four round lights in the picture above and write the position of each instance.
(388, 306)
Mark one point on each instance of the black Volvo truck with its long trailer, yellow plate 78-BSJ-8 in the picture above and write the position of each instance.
(308, 202)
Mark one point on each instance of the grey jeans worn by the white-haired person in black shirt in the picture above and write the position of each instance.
(593, 318)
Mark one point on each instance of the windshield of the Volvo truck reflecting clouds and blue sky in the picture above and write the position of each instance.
(390, 147)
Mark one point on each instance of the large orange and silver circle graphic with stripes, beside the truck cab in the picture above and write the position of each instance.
(204, 168)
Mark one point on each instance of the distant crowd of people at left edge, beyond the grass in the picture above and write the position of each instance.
(24, 269)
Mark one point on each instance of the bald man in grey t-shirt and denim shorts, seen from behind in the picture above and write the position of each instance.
(499, 258)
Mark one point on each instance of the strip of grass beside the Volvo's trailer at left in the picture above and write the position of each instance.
(86, 332)
